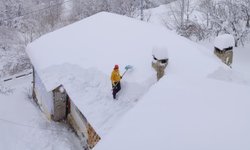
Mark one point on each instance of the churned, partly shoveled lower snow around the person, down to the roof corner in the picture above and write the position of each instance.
(90, 90)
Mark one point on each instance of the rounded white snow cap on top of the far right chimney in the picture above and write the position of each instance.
(224, 41)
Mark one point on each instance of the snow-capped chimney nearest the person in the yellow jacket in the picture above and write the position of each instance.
(160, 60)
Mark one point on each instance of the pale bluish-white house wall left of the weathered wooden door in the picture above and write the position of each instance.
(44, 98)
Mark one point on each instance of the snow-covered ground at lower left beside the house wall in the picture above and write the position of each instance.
(24, 127)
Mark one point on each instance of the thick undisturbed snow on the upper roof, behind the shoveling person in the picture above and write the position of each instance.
(106, 39)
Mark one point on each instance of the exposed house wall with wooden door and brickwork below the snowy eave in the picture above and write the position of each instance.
(57, 106)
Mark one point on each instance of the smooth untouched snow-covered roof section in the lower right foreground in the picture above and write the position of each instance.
(185, 113)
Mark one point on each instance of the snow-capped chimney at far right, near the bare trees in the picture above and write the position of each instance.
(223, 48)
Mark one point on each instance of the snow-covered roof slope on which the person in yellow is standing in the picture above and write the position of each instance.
(81, 57)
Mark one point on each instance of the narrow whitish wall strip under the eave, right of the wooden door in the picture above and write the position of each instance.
(81, 123)
